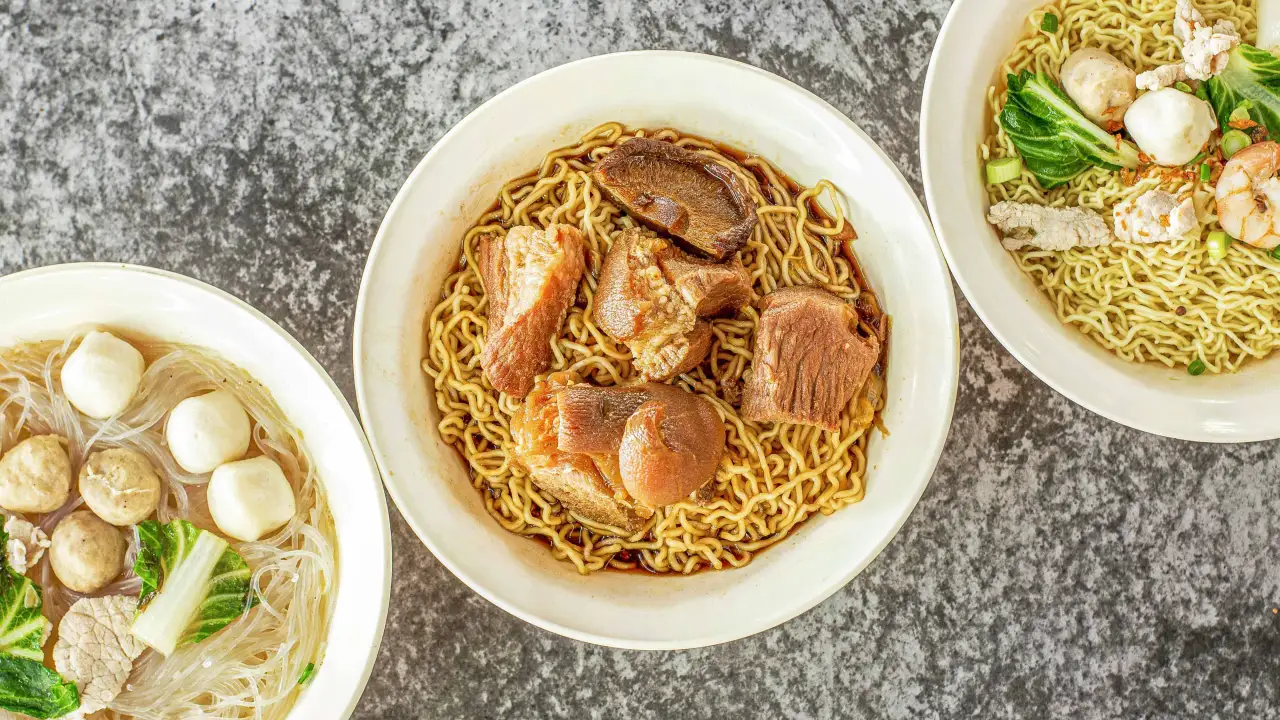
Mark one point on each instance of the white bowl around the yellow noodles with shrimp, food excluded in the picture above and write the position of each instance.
(973, 44)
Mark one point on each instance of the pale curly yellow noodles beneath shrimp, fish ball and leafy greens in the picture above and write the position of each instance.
(1165, 303)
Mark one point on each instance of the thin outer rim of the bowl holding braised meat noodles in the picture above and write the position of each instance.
(950, 350)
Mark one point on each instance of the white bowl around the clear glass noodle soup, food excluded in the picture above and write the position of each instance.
(52, 303)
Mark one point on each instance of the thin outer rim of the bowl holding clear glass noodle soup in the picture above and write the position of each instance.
(237, 304)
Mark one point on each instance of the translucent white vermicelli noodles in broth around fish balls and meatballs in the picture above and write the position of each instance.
(250, 668)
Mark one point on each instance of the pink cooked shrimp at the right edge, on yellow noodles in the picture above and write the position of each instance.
(1249, 195)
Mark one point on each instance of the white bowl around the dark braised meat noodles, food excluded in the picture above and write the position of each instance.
(419, 243)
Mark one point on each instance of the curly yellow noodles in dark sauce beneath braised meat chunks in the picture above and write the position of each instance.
(772, 479)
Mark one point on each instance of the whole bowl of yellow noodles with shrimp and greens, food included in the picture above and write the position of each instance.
(1151, 303)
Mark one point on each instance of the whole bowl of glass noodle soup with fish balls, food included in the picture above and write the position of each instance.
(194, 523)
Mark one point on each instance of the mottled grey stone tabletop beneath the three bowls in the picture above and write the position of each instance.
(1059, 564)
